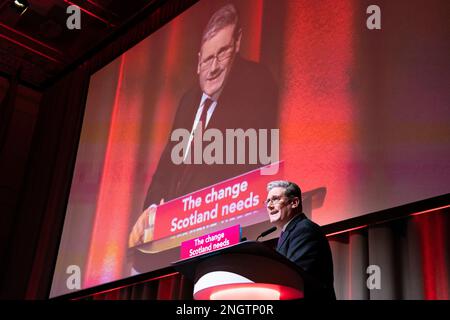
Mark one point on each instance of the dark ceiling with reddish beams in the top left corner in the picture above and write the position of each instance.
(40, 45)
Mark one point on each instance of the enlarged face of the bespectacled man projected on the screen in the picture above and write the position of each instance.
(216, 57)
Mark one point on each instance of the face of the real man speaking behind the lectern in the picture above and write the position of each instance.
(279, 207)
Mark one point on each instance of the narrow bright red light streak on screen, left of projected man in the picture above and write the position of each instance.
(108, 241)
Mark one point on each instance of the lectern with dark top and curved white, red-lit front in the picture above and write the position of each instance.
(249, 270)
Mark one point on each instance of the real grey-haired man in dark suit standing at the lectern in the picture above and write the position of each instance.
(301, 241)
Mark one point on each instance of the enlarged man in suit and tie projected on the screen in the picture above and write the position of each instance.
(231, 93)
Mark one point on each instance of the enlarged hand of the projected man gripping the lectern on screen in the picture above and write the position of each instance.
(143, 226)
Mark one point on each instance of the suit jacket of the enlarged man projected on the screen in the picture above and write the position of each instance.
(248, 100)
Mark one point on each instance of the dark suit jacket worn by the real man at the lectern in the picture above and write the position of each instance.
(304, 243)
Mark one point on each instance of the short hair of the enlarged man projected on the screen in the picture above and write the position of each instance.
(224, 17)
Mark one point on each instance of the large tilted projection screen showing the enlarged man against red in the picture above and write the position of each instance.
(308, 91)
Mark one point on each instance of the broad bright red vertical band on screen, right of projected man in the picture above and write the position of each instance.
(315, 94)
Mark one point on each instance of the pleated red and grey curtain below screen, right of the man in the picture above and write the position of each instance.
(412, 254)
